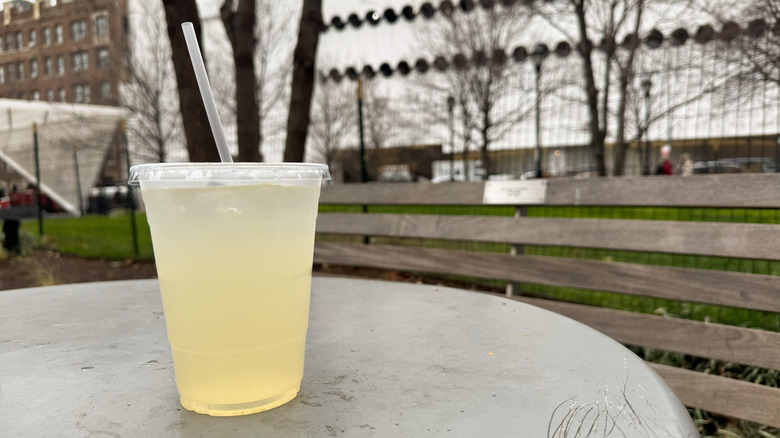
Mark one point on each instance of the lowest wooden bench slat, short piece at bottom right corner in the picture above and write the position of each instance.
(723, 395)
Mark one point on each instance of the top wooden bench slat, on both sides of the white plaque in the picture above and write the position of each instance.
(743, 190)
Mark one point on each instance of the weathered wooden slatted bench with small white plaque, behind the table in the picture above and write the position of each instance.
(753, 241)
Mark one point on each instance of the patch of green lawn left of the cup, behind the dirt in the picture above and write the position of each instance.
(104, 237)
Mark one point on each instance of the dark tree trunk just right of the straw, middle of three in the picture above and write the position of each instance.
(240, 29)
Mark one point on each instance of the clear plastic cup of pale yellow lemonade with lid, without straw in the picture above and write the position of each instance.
(233, 244)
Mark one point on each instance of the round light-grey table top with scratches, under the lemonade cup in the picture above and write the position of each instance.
(382, 360)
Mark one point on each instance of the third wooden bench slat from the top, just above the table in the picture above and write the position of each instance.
(750, 291)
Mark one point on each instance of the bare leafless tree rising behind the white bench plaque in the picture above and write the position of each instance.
(482, 36)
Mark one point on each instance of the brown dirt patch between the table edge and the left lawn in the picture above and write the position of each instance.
(46, 268)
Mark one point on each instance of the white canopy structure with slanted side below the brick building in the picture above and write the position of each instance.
(72, 142)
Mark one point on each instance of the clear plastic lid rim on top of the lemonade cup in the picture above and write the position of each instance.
(228, 172)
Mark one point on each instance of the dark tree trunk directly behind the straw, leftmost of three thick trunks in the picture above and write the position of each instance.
(200, 141)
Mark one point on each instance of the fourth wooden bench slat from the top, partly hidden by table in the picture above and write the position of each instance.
(716, 341)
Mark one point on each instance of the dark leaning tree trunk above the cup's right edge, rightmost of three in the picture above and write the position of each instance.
(304, 69)
